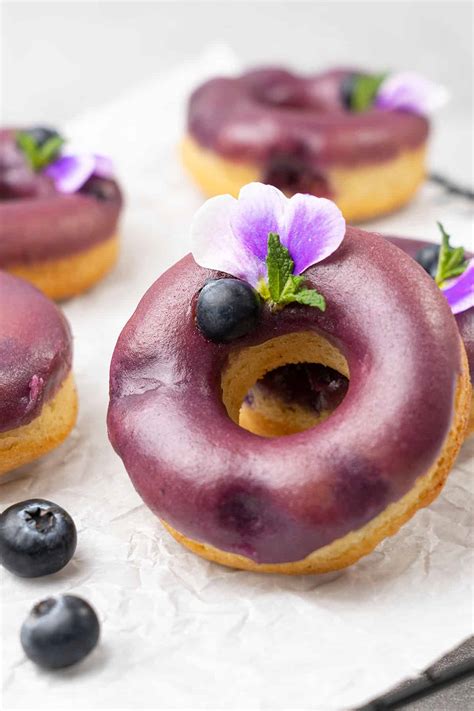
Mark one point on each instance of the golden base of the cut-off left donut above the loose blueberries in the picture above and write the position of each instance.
(44, 433)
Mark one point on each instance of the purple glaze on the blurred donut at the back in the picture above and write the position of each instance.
(269, 115)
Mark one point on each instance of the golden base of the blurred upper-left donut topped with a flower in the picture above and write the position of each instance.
(68, 276)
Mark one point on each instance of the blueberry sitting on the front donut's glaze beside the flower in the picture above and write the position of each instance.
(227, 309)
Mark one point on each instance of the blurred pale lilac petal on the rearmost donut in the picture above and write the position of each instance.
(409, 91)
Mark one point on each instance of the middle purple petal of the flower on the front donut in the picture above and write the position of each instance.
(259, 210)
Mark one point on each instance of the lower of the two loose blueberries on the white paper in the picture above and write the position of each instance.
(60, 631)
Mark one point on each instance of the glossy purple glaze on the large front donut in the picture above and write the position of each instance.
(278, 500)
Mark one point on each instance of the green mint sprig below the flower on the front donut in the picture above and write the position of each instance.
(282, 286)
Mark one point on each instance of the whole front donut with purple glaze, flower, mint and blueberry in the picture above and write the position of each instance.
(285, 281)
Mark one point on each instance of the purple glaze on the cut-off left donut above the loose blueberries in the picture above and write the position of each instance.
(35, 351)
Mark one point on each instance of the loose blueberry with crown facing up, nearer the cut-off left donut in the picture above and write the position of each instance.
(37, 538)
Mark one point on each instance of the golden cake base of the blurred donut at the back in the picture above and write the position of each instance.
(361, 192)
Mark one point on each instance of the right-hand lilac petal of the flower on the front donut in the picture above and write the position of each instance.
(314, 229)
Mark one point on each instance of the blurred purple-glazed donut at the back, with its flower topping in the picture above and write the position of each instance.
(356, 138)
